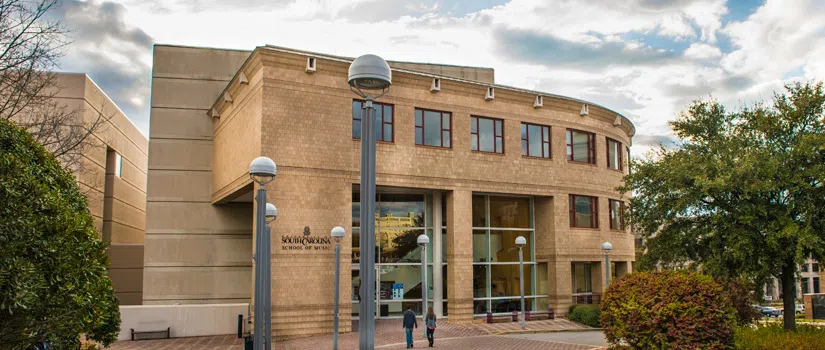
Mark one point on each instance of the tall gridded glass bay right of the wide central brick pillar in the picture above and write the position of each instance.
(497, 221)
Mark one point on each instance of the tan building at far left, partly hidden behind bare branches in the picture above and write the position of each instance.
(113, 176)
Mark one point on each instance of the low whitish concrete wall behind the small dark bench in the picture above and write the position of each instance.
(185, 320)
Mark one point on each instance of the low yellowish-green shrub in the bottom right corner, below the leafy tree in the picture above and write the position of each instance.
(773, 336)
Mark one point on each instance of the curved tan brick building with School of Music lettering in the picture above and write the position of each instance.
(472, 164)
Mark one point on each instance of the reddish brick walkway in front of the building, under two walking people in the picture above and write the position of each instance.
(388, 334)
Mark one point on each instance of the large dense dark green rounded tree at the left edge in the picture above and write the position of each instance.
(53, 280)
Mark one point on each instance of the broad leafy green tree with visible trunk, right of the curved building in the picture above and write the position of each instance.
(743, 194)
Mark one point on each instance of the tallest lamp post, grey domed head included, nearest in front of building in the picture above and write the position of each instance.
(371, 73)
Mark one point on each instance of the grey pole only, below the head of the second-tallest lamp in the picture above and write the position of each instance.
(260, 219)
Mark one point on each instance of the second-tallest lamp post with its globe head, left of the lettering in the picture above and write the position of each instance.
(262, 170)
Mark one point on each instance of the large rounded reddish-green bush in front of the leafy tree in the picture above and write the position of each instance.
(668, 310)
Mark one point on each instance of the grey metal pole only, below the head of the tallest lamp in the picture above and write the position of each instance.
(366, 319)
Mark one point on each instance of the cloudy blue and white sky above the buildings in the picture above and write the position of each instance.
(646, 59)
